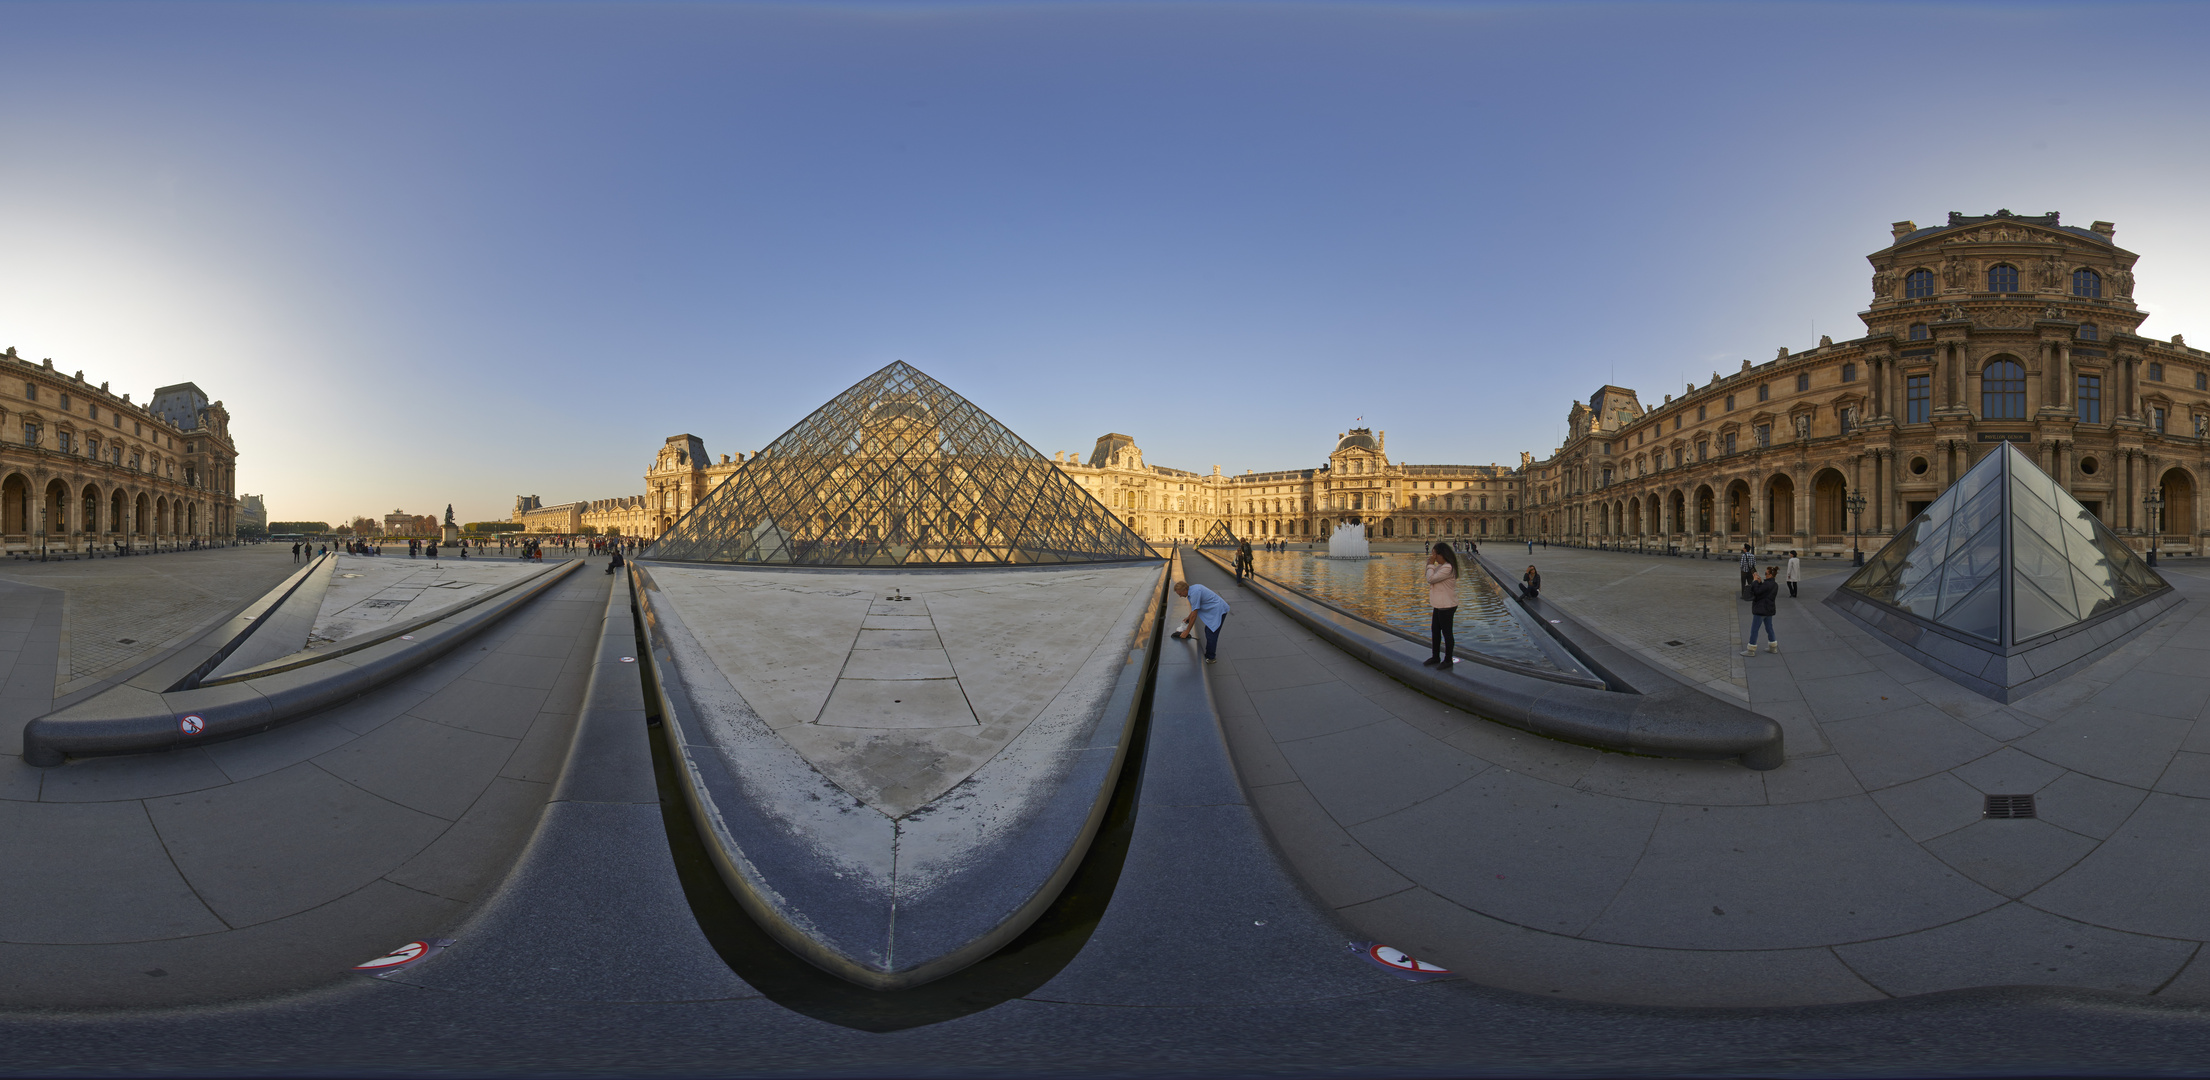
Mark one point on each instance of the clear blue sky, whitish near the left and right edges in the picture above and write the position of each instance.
(459, 253)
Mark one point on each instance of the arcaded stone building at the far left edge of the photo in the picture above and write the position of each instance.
(85, 469)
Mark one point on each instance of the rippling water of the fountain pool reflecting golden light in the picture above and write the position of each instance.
(1393, 591)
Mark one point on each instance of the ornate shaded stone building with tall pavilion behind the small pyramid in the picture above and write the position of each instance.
(1983, 330)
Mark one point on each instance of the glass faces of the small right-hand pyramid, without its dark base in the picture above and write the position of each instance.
(2006, 555)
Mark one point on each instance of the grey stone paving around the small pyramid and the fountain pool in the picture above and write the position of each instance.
(1858, 871)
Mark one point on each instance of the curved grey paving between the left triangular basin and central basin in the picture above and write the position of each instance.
(277, 860)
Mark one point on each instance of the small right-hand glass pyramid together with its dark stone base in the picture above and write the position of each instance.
(2006, 580)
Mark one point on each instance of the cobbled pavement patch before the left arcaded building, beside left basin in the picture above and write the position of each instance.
(123, 611)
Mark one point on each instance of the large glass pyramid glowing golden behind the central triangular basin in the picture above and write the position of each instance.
(901, 472)
